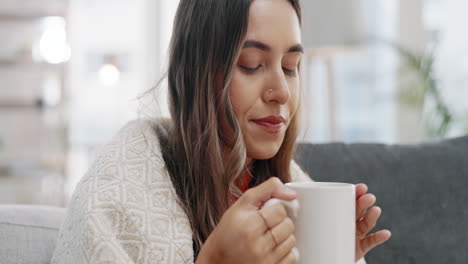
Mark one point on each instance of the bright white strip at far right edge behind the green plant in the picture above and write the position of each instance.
(449, 20)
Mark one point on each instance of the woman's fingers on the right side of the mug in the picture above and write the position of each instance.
(365, 223)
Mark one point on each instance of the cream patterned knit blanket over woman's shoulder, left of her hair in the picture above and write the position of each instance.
(126, 192)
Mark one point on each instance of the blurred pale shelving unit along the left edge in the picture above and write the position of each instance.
(33, 109)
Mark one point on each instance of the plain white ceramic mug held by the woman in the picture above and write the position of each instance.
(325, 220)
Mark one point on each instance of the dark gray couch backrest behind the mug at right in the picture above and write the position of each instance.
(422, 190)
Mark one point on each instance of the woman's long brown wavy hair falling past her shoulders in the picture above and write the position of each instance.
(206, 40)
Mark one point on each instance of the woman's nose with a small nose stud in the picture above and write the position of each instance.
(276, 88)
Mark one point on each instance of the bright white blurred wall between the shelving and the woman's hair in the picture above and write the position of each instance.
(139, 28)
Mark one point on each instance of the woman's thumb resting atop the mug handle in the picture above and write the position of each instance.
(272, 188)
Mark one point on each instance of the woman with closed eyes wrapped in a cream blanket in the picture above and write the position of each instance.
(189, 189)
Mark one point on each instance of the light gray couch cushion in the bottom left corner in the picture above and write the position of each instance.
(28, 233)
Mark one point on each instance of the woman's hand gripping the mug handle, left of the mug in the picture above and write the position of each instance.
(246, 234)
